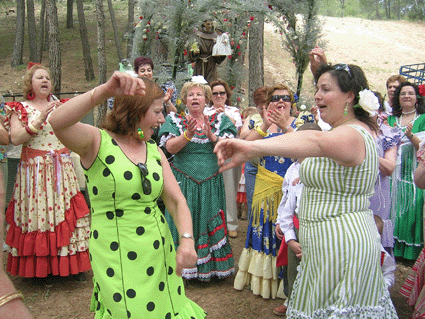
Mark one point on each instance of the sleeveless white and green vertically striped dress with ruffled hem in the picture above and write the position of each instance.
(339, 274)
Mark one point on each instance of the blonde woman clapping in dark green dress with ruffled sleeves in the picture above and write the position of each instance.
(192, 139)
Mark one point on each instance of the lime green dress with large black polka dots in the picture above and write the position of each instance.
(131, 248)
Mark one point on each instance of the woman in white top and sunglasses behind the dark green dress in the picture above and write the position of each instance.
(220, 102)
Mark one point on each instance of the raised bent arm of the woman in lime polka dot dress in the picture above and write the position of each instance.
(82, 138)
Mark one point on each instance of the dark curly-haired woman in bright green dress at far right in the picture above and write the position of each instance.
(407, 199)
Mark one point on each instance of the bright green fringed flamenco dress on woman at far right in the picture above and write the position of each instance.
(407, 201)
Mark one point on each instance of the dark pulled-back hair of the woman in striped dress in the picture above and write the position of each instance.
(349, 78)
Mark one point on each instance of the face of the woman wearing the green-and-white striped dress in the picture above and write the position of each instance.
(330, 100)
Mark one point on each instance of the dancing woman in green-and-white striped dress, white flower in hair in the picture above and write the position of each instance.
(339, 275)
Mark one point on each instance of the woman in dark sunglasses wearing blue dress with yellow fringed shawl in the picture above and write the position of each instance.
(262, 245)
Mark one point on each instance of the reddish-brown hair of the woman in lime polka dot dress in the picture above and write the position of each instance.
(127, 111)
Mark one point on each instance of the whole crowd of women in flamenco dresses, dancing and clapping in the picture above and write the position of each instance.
(358, 193)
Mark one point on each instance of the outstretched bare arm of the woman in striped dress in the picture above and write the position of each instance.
(349, 152)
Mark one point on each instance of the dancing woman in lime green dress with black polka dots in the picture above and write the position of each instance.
(136, 268)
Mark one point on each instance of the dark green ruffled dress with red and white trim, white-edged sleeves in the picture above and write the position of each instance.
(196, 170)
